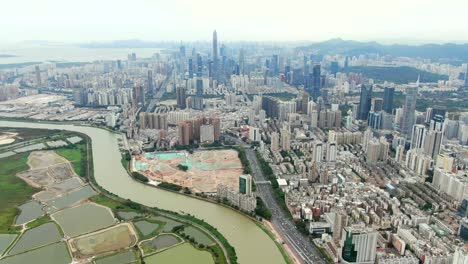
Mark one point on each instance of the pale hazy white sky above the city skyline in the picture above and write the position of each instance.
(285, 20)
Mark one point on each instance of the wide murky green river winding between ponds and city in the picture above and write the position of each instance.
(251, 243)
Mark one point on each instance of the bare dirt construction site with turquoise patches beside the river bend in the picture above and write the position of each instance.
(200, 171)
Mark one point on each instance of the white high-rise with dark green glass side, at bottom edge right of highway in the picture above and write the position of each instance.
(359, 245)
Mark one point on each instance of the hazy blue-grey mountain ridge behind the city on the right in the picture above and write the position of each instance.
(453, 53)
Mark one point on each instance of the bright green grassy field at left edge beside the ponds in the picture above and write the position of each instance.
(13, 191)
